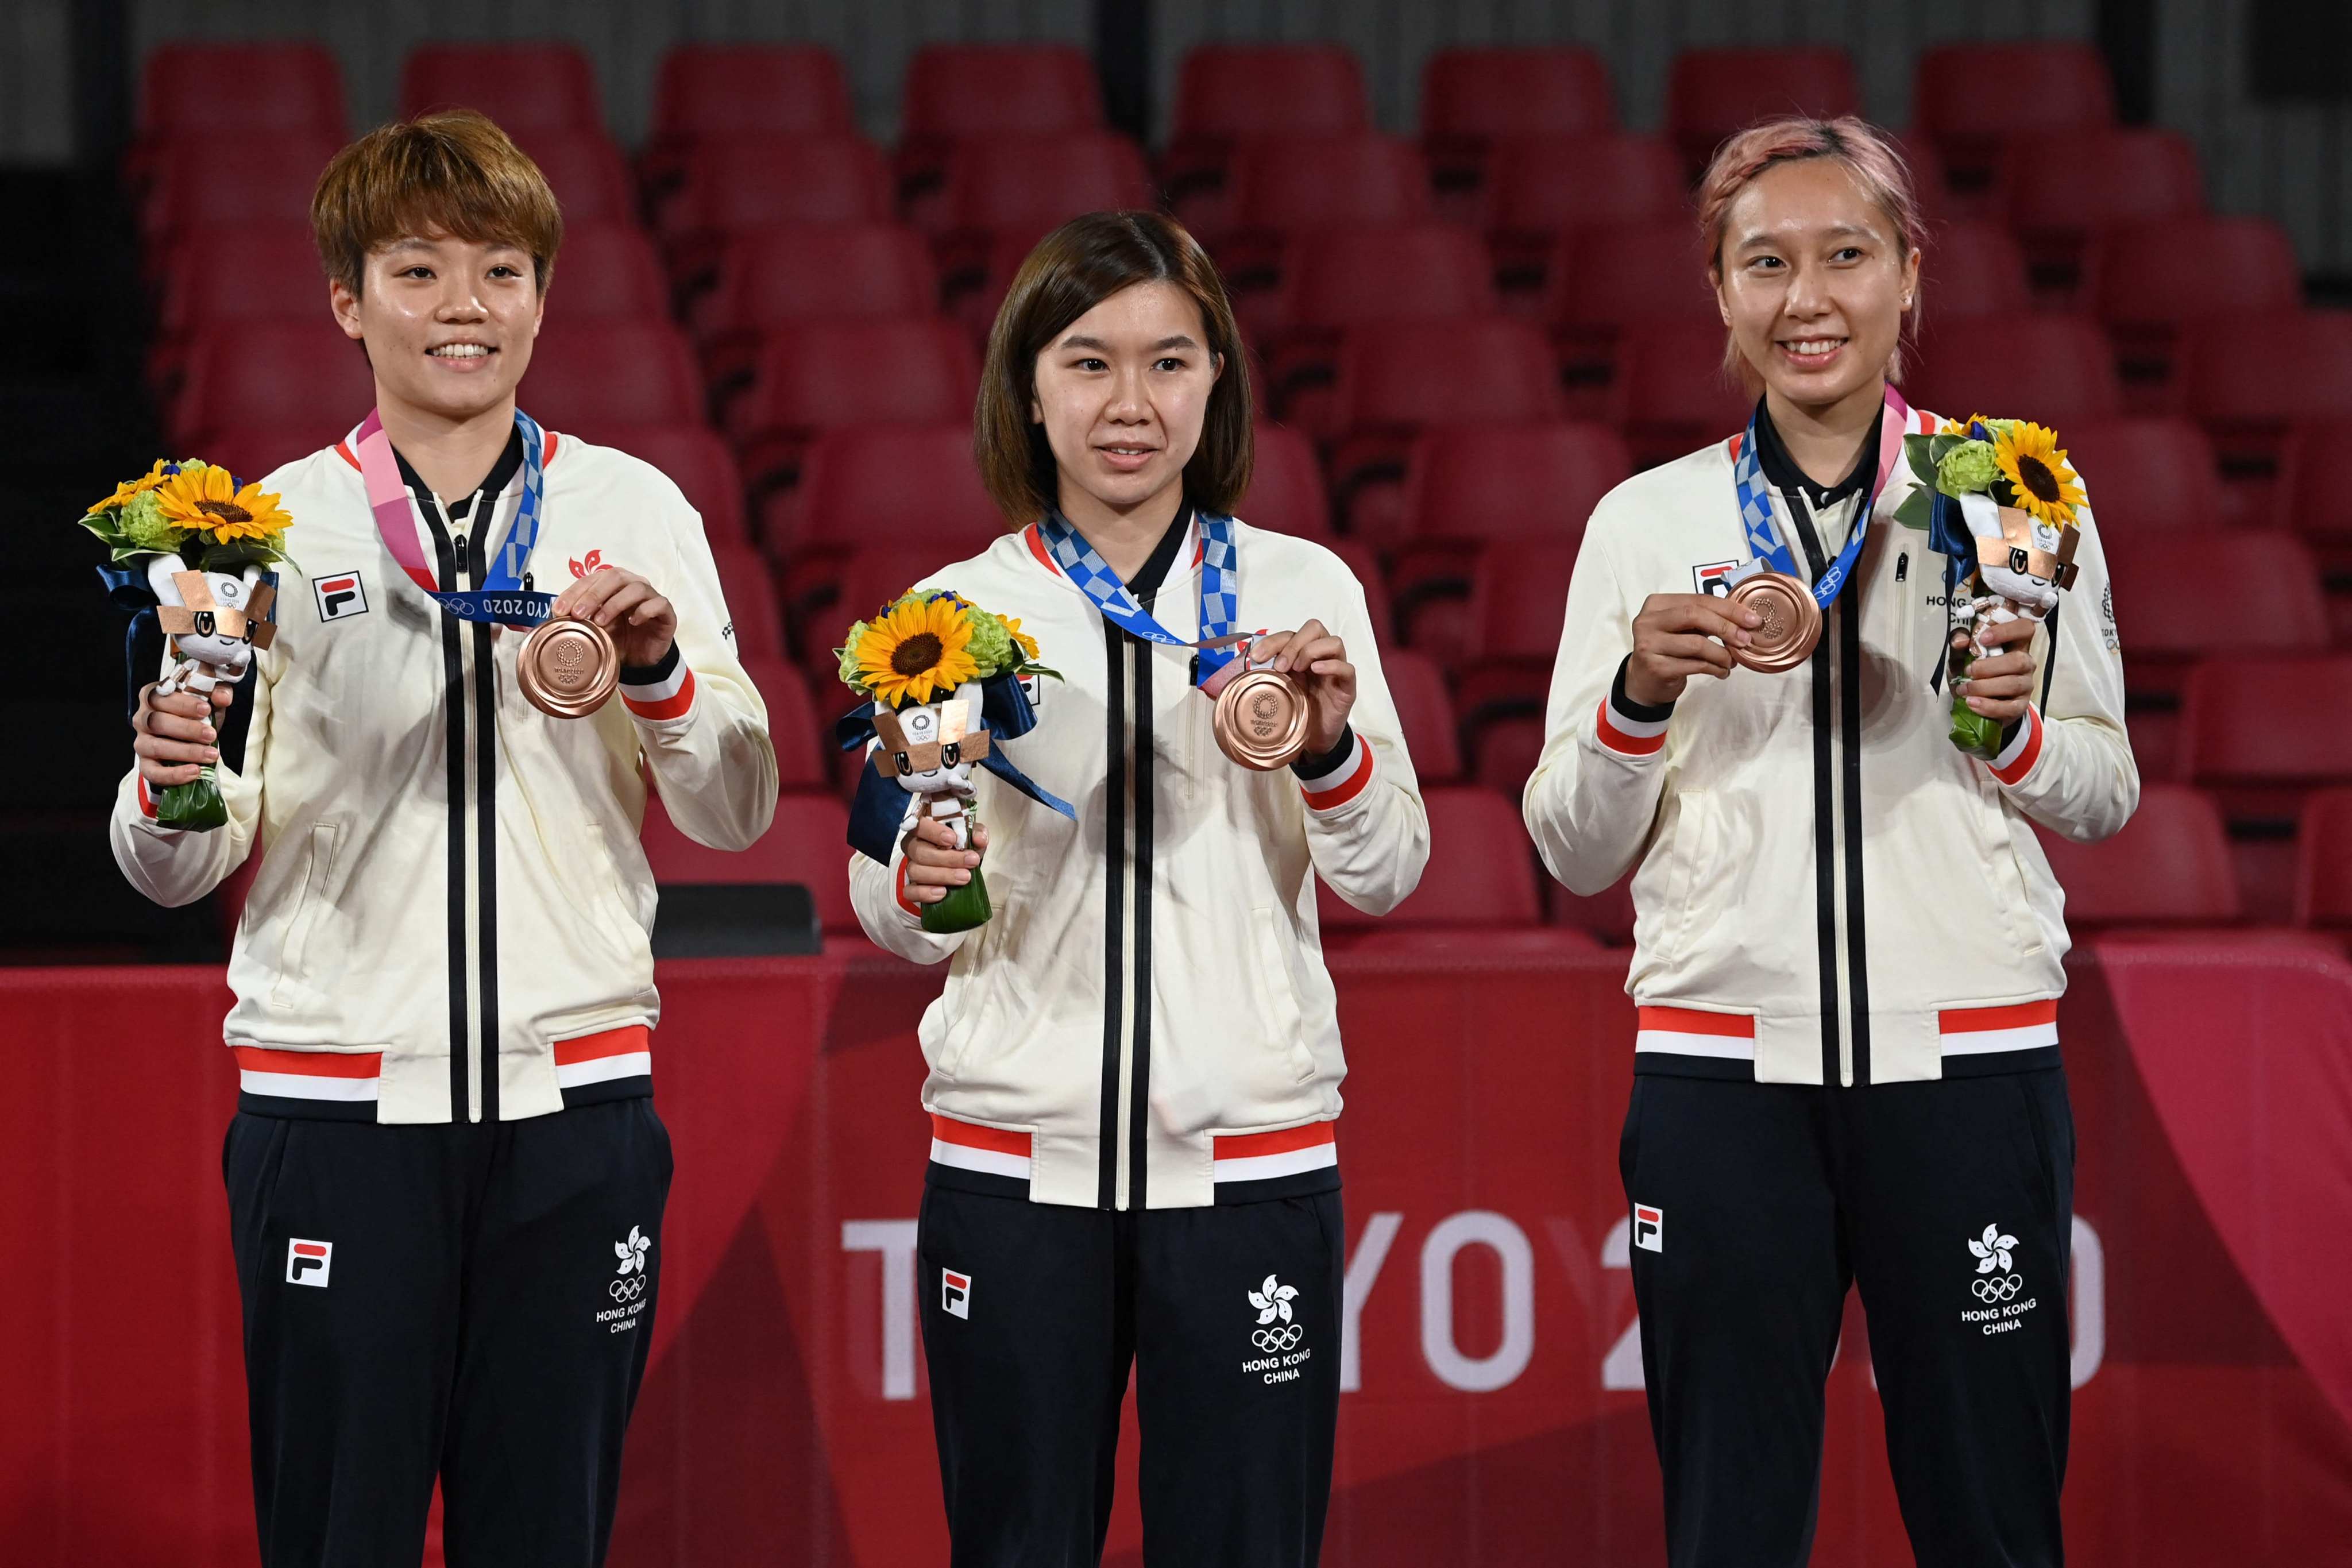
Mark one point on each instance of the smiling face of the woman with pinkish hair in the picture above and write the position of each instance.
(1815, 281)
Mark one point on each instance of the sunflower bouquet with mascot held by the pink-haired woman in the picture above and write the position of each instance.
(2014, 540)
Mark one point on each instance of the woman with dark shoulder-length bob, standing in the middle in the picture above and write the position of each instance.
(1135, 1064)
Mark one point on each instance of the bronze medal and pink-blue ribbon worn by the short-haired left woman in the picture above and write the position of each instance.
(566, 666)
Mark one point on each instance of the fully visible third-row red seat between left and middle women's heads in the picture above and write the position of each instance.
(810, 272)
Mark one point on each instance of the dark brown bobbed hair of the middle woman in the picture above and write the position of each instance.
(1071, 272)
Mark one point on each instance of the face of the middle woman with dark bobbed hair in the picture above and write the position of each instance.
(1123, 394)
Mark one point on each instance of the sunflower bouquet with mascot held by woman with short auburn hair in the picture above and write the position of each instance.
(192, 554)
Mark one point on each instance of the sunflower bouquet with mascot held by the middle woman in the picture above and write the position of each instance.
(940, 678)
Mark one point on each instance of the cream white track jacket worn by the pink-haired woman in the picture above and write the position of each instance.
(1826, 890)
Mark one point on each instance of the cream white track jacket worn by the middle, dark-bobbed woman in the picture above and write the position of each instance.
(1147, 1021)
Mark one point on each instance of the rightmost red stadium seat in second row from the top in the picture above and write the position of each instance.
(2066, 187)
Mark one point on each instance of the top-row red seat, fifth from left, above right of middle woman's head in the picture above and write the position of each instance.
(1236, 93)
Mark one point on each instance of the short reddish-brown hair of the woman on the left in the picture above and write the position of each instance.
(450, 173)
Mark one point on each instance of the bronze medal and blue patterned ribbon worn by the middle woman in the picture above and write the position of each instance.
(1262, 716)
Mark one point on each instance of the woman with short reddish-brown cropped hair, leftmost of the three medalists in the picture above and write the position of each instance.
(446, 1174)
